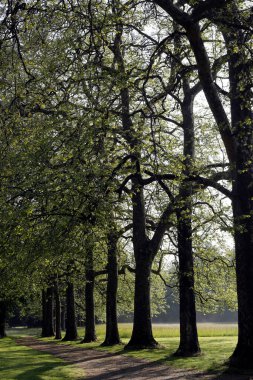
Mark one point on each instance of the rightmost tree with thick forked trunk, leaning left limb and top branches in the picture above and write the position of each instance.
(236, 138)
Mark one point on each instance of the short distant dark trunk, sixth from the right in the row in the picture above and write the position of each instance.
(71, 328)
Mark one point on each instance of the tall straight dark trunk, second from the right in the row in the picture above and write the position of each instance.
(189, 344)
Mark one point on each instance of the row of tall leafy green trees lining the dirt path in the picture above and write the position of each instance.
(126, 135)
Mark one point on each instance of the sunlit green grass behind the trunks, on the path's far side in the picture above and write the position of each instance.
(217, 344)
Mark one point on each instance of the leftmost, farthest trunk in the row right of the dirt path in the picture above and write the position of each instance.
(47, 313)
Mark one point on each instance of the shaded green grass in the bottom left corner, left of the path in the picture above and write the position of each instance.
(22, 363)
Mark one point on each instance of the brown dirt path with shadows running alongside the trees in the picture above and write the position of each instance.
(99, 365)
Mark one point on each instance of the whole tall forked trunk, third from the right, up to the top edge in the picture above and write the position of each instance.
(144, 249)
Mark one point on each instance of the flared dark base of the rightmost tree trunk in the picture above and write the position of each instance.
(242, 358)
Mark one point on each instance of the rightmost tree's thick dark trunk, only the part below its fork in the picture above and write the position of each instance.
(243, 220)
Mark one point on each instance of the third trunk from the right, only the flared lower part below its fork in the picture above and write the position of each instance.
(142, 336)
